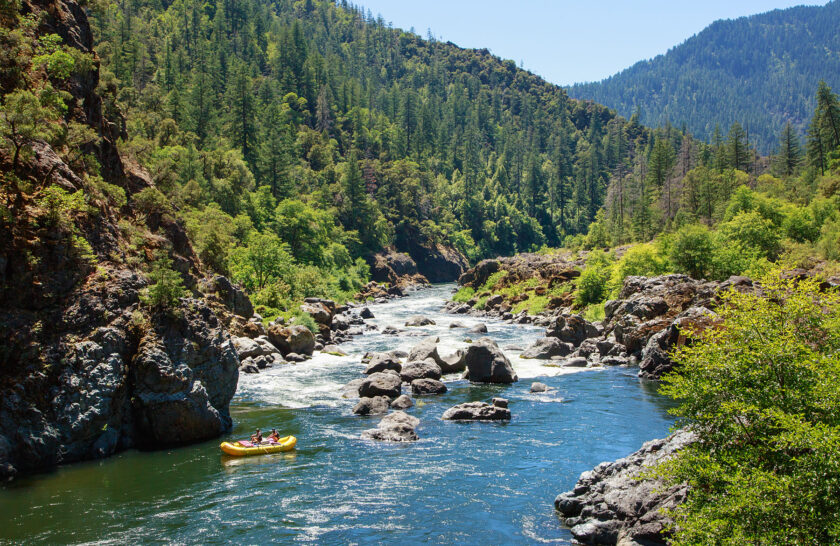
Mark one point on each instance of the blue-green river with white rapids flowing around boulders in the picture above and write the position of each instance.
(461, 483)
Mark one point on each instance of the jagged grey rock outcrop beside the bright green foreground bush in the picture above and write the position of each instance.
(610, 505)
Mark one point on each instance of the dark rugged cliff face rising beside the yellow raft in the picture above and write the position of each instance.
(85, 368)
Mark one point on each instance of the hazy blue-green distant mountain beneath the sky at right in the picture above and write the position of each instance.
(761, 71)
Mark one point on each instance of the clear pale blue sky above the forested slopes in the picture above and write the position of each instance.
(568, 41)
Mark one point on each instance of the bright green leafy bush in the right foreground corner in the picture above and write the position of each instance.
(762, 392)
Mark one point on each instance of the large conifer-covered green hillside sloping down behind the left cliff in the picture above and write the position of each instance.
(317, 131)
